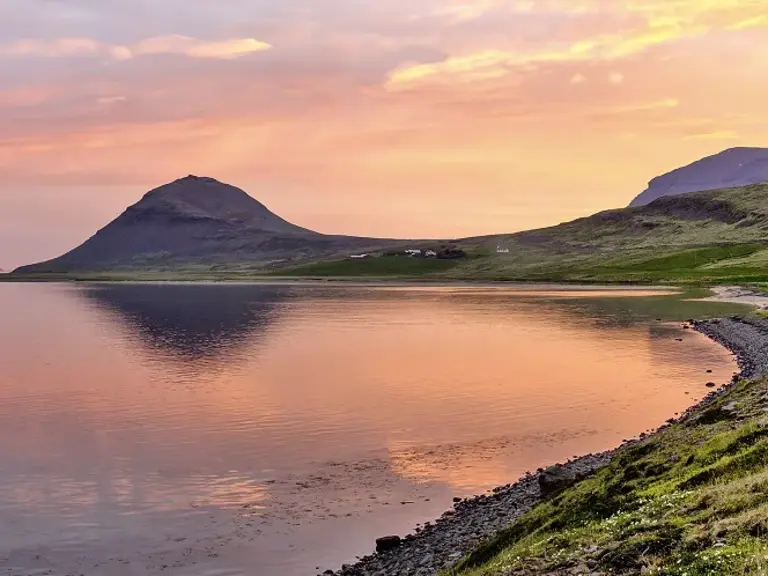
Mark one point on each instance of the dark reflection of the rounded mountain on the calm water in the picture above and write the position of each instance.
(191, 321)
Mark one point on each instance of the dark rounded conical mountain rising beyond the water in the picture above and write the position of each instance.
(193, 221)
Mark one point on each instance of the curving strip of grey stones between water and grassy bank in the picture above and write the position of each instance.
(441, 544)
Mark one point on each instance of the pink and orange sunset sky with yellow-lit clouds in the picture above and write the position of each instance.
(436, 118)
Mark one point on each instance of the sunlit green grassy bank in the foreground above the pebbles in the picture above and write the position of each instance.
(690, 501)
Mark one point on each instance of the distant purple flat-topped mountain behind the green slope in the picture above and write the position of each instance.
(728, 169)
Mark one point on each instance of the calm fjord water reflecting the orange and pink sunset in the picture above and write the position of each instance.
(279, 429)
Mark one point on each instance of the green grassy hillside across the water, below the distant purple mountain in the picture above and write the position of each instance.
(718, 236)
